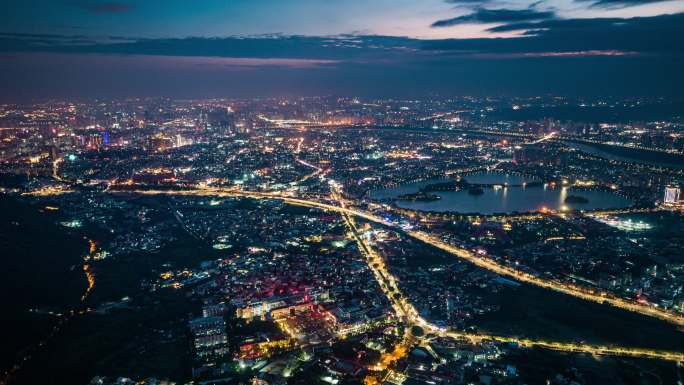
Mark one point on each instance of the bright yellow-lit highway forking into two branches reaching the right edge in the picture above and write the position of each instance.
(406, 310)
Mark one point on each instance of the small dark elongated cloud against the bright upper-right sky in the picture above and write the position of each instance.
(482, 15)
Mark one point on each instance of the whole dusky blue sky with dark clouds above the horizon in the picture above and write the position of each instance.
(386, 48)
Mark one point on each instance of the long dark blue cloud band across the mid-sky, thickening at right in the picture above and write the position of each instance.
(552, 37)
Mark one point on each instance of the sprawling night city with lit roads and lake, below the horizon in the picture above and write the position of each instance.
(344, 240)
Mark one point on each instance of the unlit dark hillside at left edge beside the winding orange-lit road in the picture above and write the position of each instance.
(40, 269)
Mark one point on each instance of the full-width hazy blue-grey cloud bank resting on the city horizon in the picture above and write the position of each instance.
(203, 68)
